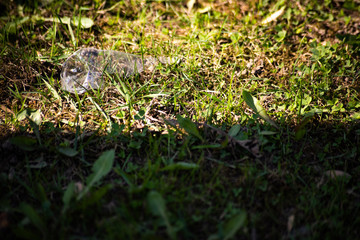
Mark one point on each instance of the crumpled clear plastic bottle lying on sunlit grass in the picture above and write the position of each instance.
(85, 69)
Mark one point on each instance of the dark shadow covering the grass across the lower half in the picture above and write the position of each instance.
(287, 182)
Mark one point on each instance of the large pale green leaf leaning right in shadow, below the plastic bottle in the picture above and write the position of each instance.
(101, 168)
